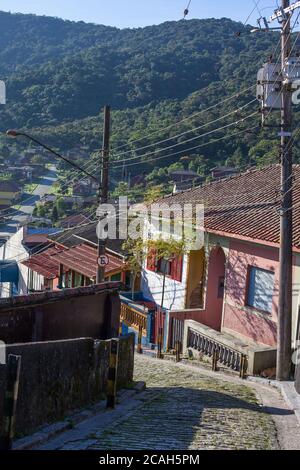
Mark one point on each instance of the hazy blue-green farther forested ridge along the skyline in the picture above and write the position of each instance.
(58, 70)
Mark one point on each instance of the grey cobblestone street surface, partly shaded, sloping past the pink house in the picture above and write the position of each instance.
(185, 409)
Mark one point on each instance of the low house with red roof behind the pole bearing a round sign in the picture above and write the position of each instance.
(71, 259)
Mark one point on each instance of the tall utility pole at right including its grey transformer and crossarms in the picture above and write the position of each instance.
(274, 98)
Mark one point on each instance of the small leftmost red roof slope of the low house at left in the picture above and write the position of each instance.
(44, 263)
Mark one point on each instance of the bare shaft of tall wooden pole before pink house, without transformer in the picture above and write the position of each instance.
(286, 220)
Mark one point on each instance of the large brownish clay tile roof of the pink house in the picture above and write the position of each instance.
(246, 205)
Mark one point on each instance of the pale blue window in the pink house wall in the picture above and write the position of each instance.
(260, 289)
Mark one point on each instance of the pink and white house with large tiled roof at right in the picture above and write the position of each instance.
(230, 284)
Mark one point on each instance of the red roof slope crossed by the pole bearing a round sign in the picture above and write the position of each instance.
(83, 259)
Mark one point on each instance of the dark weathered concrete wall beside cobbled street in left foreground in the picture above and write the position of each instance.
(60, 376)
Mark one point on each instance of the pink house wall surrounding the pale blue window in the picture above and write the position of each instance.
(258, 326)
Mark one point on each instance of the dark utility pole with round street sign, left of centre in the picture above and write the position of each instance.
(104, 188)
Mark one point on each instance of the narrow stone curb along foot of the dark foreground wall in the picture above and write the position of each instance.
(49, 431)
